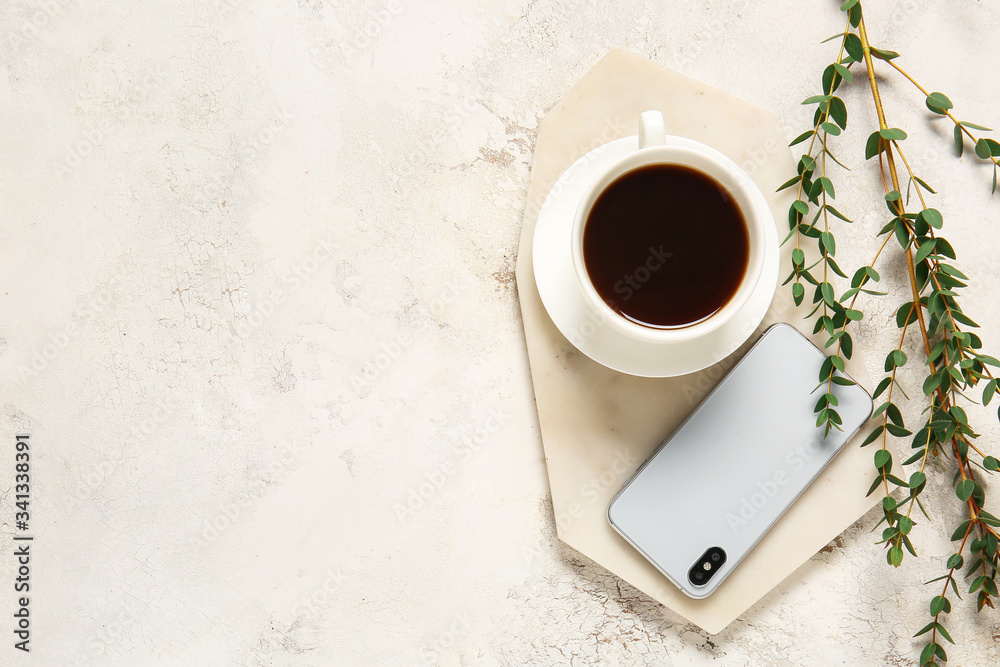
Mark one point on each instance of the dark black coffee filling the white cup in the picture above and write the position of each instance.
(666, 246)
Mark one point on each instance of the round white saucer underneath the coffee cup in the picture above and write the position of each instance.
(562, 296)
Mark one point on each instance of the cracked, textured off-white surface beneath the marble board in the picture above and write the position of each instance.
(258, 314)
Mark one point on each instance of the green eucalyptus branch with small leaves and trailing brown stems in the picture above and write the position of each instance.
(952, 353)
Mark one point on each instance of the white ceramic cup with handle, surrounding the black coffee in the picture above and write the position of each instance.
(707, 160)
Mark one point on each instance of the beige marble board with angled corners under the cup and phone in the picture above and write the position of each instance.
(596, 424)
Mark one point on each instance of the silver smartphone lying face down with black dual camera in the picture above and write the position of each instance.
(706, 496)
